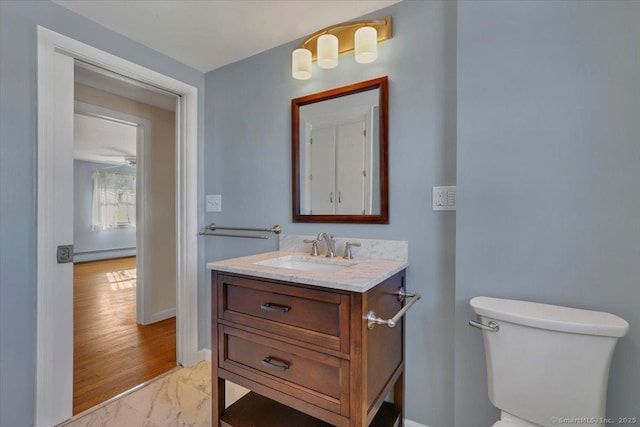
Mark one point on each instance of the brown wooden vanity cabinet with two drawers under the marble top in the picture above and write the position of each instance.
(306, 353)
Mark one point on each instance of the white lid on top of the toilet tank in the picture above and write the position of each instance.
(551, 317)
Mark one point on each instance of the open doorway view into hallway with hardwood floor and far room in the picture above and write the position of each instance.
(123, 275)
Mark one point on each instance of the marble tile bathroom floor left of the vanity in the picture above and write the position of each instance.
(181, 398)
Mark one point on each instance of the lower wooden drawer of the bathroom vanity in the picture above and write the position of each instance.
(317, 378)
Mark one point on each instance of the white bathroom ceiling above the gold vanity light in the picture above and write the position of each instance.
(208, 34)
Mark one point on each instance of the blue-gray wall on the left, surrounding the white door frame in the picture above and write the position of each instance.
(18, 22)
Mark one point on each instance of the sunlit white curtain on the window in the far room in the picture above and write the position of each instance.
(114, 200)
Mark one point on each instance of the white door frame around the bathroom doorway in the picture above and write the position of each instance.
(48, 393)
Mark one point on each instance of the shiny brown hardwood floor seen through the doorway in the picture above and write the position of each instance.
(111, 352)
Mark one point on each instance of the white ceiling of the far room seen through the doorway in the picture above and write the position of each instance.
(103, 141)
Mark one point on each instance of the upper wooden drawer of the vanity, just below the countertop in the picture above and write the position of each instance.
(309, 315)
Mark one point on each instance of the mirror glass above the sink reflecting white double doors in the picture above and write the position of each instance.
(339, 153)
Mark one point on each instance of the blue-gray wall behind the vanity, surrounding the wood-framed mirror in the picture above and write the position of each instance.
(248, 155)
